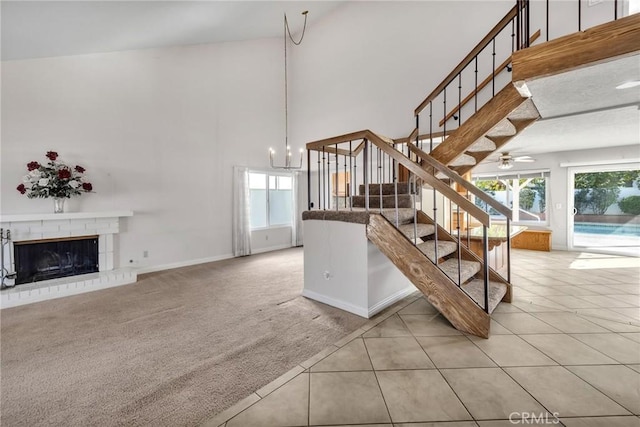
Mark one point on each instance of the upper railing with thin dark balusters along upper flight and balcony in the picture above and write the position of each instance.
(485, 70)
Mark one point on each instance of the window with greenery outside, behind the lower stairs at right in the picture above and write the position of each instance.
(528, 191)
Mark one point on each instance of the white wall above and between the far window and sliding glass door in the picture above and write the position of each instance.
(557, 205)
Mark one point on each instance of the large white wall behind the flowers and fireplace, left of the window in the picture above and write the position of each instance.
(158, 130)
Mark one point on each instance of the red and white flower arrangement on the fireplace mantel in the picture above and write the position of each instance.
(55, 179)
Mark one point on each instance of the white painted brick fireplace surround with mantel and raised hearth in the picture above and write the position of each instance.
(30, 227)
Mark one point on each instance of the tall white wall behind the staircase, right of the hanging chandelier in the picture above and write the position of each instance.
(369, 64)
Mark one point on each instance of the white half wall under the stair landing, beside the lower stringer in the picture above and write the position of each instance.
(343, 269)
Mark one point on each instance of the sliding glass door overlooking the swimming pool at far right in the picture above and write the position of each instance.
(605, 214)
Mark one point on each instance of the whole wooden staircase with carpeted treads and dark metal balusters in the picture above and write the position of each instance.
(430, 251)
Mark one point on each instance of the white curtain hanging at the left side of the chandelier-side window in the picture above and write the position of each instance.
(241, 212)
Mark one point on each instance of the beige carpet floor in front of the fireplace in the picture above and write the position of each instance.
(171, 350)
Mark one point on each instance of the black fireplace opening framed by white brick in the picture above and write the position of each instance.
(51, 259)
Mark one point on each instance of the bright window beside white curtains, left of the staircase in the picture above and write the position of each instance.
(271, 199)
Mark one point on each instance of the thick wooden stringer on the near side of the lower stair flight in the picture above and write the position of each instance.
(454, 304)
